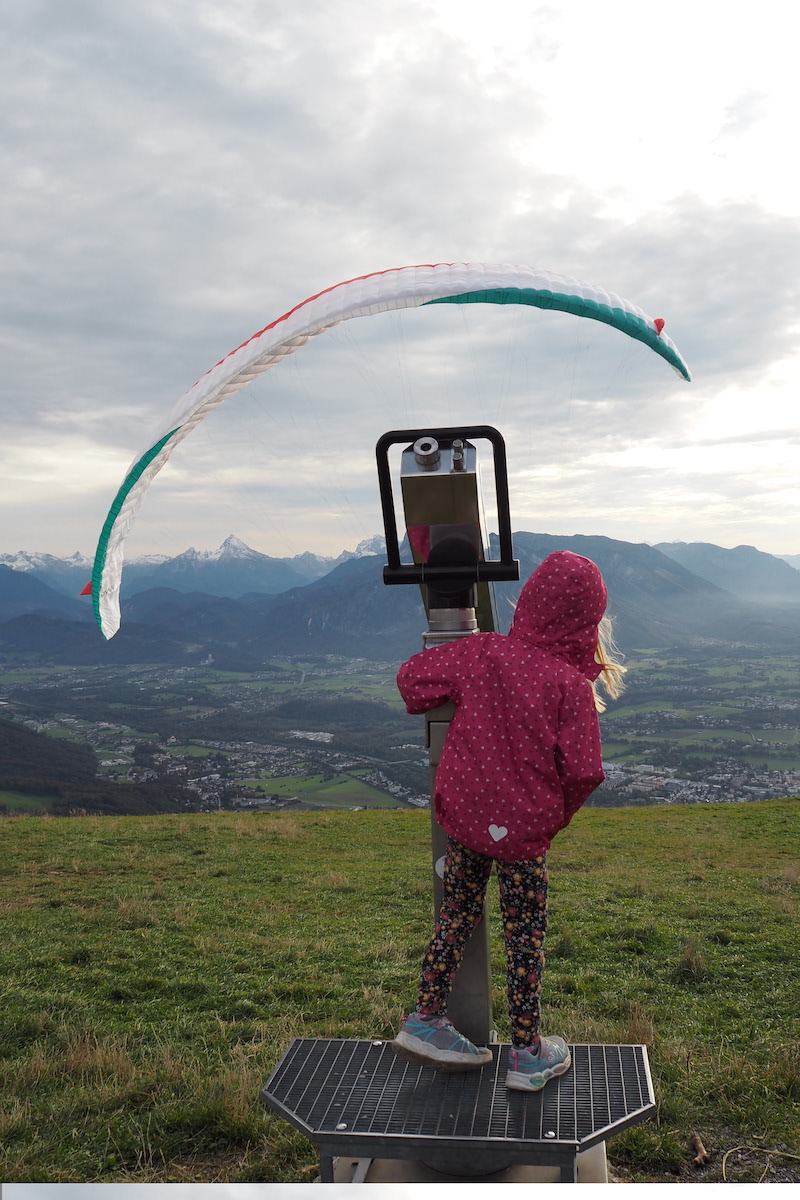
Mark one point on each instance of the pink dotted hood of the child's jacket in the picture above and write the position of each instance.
(561, 608)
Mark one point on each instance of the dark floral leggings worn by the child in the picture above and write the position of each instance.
(524, 904)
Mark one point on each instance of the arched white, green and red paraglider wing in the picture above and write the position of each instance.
(406, 287)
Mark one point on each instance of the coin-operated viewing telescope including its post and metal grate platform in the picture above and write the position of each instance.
(356, 1099)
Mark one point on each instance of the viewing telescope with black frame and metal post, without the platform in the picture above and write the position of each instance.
(442, 502)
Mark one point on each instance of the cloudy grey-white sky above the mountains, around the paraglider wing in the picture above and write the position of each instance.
(178, 173)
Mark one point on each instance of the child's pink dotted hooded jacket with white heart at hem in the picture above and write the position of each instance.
(524, 749)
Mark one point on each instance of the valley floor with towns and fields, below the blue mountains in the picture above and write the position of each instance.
(718, 723)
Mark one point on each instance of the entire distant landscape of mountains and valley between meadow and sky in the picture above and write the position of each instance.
(231, 686)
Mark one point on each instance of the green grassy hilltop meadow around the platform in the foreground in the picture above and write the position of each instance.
(154, 969)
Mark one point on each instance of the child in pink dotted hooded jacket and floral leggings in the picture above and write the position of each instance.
(521, 758)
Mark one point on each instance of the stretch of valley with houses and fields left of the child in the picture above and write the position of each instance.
(306, 735)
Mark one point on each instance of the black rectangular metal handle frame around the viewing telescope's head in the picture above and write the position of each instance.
(506, 568)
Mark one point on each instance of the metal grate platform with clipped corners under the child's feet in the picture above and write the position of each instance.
(358, 1099)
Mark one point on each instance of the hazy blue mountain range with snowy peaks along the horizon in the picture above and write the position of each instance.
(238, 608)
